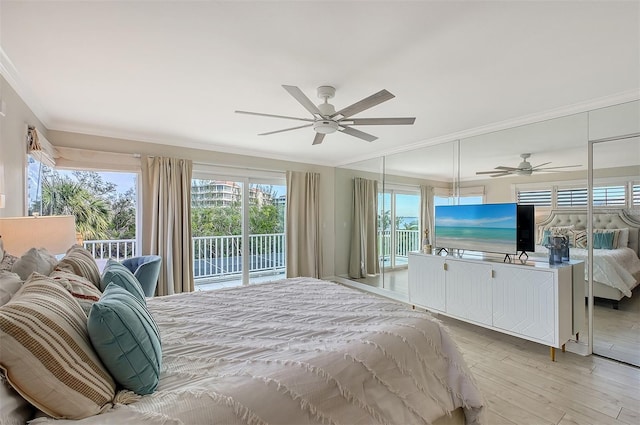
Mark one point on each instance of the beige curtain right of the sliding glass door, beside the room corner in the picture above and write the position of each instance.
(303, 247)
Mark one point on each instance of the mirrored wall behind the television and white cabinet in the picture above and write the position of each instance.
(484, 169)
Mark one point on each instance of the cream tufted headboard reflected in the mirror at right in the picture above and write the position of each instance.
(609, 219)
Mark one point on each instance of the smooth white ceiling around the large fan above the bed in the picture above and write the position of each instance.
(174, 72)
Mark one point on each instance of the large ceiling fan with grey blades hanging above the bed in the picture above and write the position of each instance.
(326, 120)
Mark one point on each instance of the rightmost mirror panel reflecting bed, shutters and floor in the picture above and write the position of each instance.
(615, 231)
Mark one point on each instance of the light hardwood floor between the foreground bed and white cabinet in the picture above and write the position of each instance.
(522, 386)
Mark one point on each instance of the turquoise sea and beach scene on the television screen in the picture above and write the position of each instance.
(486, 227)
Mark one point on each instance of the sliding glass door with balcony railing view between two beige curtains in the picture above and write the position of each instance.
(238, 230)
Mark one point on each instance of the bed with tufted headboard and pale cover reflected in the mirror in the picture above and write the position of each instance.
(616, 271)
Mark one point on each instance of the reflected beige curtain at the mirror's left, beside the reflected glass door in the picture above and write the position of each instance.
(363, 257)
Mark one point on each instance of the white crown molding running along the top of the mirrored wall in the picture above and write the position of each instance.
(576, 108)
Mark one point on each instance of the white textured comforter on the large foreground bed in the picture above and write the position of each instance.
(299, 351)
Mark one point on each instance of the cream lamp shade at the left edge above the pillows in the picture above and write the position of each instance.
(54, 233)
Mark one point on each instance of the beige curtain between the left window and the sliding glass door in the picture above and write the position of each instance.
(167, 223)
